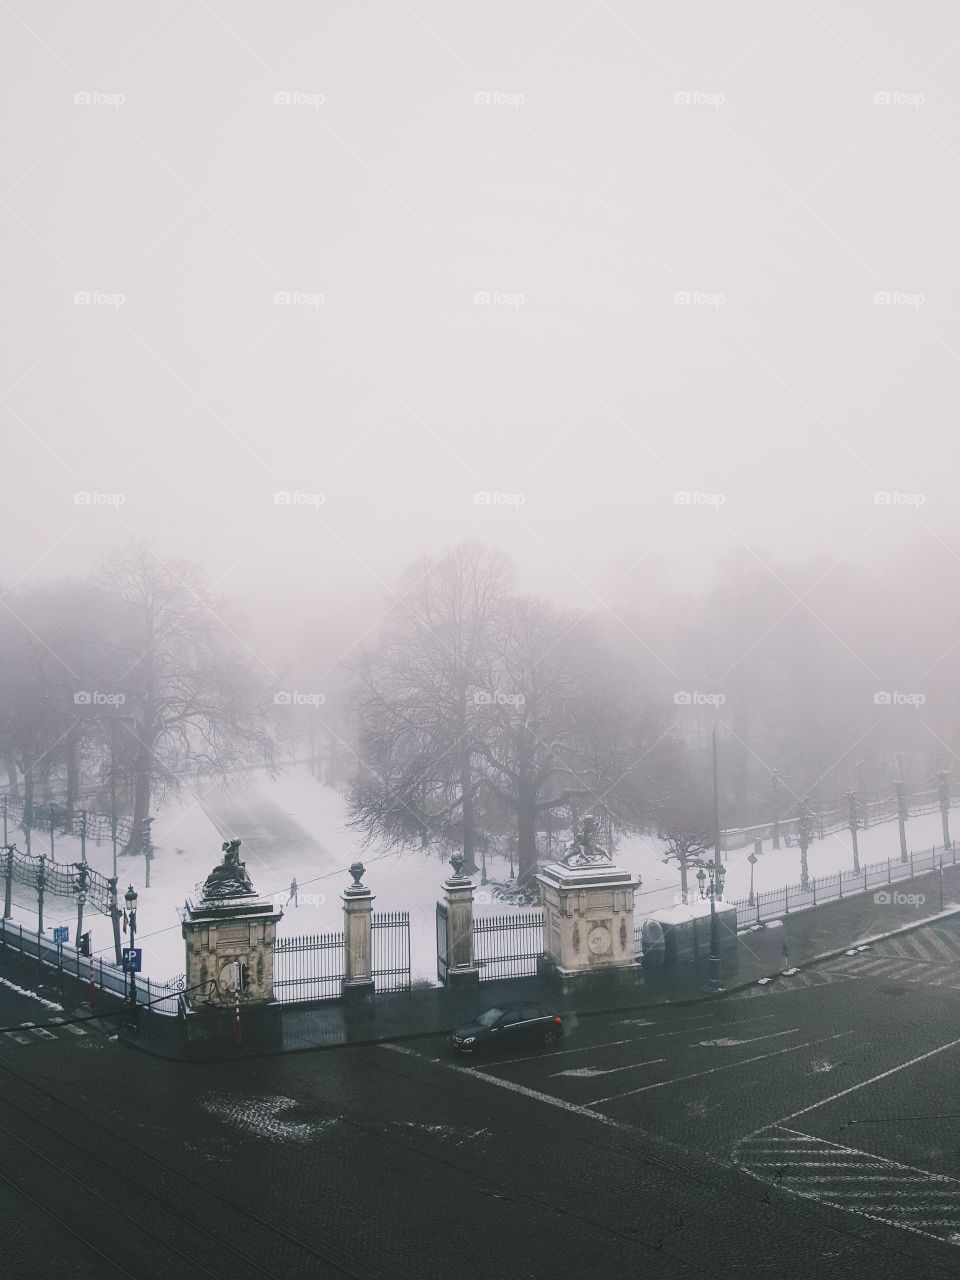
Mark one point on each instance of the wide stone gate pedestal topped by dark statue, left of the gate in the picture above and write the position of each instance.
(230, 939)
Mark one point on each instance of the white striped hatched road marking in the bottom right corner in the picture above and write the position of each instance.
(854, 1181)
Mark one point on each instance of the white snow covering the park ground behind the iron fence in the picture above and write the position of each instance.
(292, 826)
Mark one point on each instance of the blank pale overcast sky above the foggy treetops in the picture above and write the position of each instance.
(583, 198)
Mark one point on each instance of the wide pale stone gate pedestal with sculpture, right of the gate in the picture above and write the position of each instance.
(588, 918)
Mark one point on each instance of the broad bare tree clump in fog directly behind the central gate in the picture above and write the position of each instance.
(477, 698)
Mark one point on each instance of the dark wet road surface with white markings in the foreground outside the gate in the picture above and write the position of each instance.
(803, 1126)
